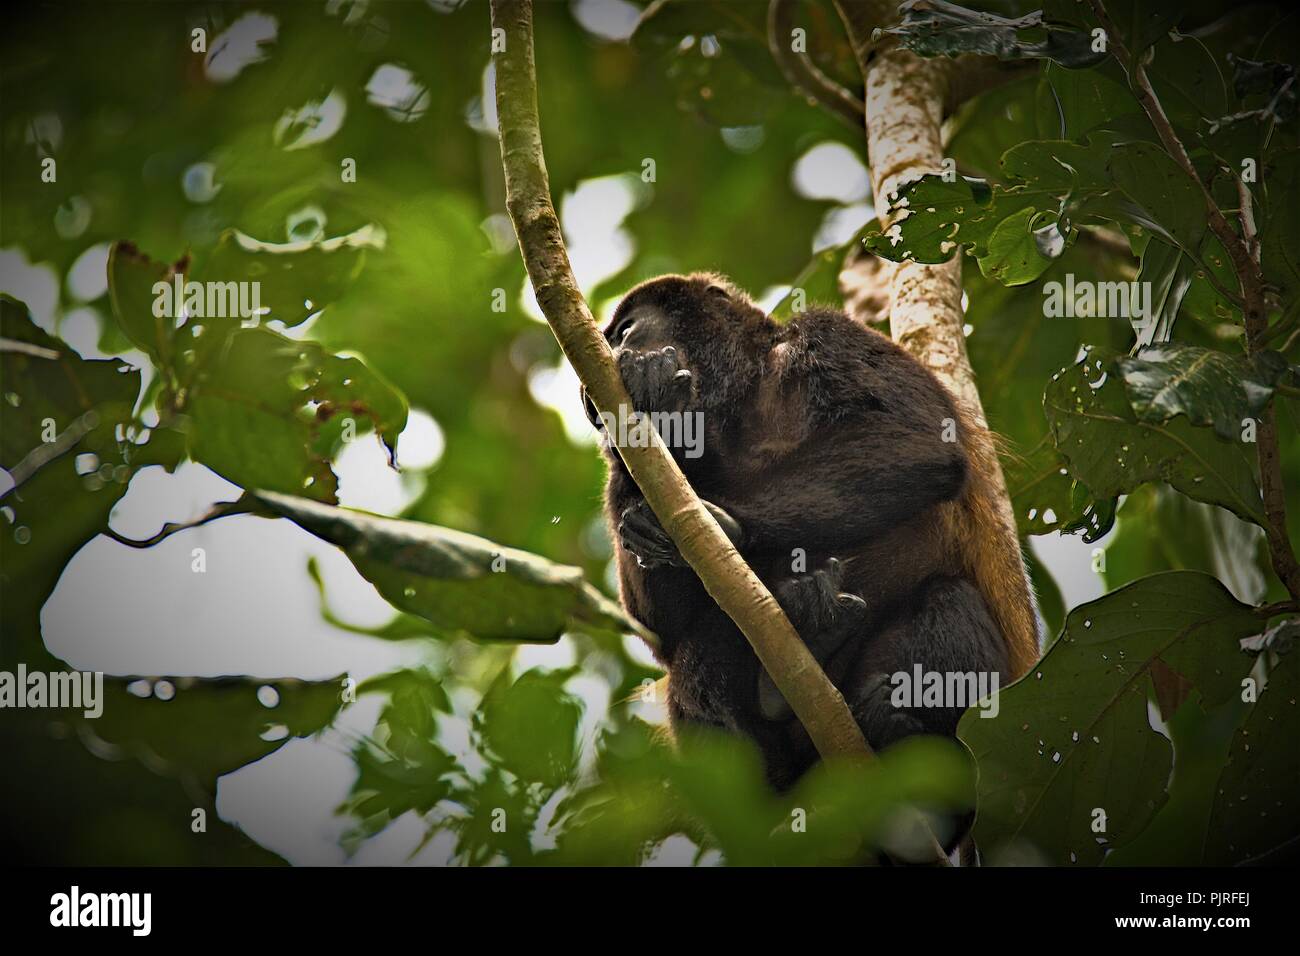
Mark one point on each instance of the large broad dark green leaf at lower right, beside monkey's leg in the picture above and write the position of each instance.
(1073, 737)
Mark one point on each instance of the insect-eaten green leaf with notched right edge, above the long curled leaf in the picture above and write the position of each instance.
(268, 412)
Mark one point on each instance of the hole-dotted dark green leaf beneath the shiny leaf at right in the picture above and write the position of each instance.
(1107, 448)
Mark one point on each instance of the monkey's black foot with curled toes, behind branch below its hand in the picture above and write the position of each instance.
(825, 617)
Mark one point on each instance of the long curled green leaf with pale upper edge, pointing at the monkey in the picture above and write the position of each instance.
(461, 582)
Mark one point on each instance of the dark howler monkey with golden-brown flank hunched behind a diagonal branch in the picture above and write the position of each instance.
(821, 439)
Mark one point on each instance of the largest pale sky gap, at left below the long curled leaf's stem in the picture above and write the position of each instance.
(253, 612)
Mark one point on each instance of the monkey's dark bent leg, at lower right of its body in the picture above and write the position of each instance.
(948, 631)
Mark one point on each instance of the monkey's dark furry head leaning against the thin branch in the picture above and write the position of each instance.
(716, 332)
